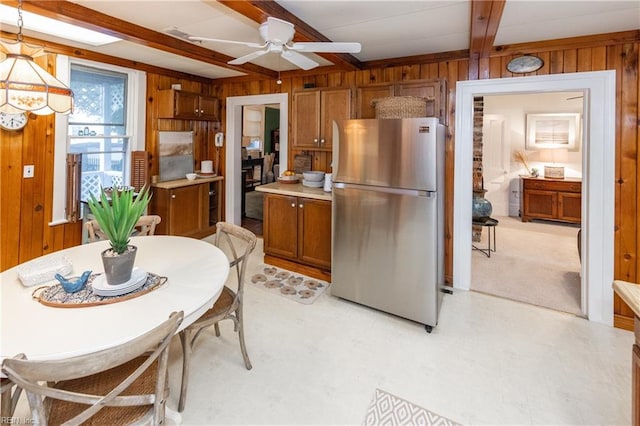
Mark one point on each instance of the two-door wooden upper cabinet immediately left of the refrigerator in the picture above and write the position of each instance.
(313, 114)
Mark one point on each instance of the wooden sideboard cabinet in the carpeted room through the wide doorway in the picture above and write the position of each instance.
(550, 199)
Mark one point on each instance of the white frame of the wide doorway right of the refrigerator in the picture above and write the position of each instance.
(598, 189)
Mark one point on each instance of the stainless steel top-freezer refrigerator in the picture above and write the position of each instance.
(388, 216)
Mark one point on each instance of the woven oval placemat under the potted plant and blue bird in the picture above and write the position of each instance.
(55, 295)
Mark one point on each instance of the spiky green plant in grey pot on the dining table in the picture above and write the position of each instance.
(117, 216)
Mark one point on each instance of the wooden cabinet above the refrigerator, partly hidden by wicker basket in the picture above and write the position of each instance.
(435, 90)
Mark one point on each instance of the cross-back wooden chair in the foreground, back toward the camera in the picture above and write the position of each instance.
(120, 385)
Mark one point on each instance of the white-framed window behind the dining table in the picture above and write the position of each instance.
(109, 105)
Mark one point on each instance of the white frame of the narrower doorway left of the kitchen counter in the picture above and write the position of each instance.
(233, 185)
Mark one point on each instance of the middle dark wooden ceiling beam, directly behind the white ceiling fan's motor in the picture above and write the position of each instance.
(260, 10)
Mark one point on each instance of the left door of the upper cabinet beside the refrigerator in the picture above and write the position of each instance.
(306, 119)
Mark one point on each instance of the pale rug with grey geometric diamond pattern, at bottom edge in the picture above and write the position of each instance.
(387, 409)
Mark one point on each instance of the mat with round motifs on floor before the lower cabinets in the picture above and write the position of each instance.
(288, 284)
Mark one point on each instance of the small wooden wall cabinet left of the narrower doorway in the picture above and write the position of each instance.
(186, 105)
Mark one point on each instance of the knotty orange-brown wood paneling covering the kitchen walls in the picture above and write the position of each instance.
(26, 203)
